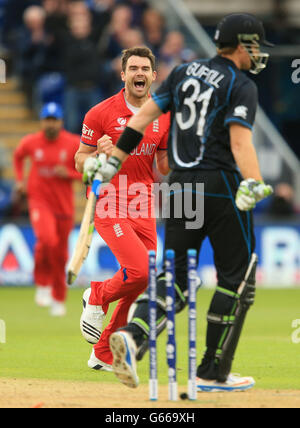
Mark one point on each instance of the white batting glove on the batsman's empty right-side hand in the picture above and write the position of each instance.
(250, 192)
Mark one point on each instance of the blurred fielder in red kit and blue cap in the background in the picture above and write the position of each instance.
(50, 198)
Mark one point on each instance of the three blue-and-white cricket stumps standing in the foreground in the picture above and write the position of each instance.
(171, 332)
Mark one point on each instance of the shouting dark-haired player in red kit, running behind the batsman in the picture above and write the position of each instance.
(128, 228)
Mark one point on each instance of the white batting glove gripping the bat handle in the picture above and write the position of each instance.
(107, 169)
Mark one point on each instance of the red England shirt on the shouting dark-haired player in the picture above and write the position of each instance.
(110, 117)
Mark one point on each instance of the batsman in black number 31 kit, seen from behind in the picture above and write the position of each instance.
(213, 106)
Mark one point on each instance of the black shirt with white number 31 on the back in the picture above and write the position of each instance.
(204, 97)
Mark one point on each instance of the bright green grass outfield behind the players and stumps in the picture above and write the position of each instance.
(39, 346)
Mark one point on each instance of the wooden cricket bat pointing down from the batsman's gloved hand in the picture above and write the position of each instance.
(85, 237)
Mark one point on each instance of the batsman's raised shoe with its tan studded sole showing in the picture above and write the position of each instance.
(123, 349)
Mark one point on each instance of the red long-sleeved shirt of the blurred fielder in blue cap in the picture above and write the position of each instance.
(44, 186)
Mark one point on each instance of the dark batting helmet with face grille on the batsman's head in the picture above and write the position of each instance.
(248, 31)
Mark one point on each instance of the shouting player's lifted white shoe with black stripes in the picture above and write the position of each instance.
(91, 320)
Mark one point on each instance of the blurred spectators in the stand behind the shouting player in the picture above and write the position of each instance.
(68, 51)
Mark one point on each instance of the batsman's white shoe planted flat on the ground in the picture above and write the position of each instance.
(234, 383)
